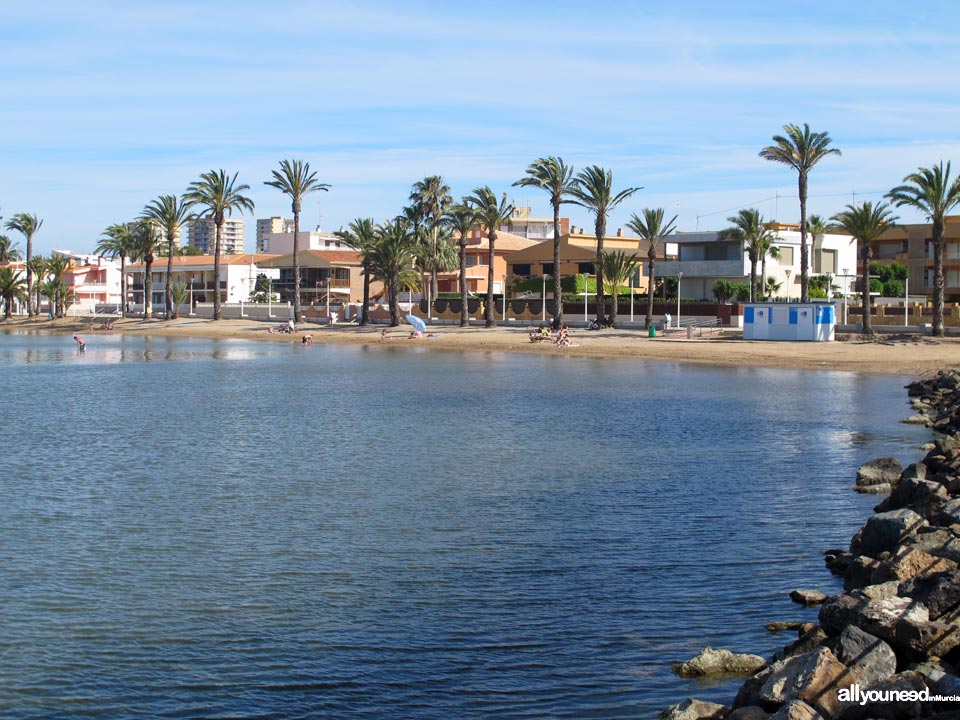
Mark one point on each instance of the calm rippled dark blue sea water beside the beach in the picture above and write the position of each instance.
(212, 529)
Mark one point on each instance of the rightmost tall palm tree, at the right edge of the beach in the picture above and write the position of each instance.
(930, 191)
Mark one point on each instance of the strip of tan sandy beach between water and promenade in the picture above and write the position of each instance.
(909, 355)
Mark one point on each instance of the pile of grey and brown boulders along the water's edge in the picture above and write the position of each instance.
(888, 646)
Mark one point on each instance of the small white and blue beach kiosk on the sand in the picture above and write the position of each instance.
(813, 322)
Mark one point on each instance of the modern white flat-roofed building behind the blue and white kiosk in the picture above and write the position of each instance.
(703, 259)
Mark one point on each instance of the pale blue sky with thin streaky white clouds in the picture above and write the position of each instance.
(106, 105)
